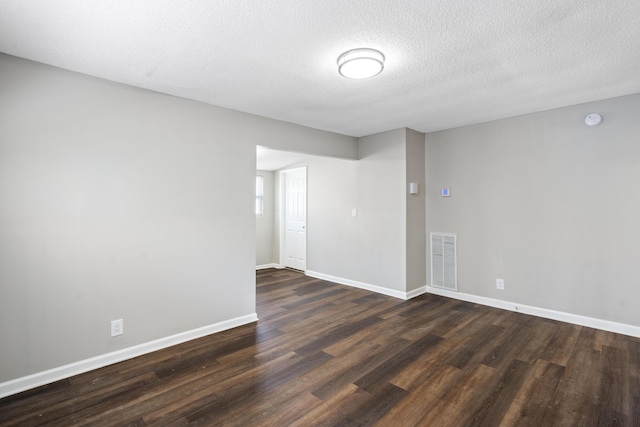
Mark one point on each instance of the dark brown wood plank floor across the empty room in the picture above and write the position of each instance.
(328, 355)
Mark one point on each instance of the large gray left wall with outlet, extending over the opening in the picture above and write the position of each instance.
(117, 202)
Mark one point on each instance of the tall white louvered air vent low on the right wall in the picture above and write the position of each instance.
(444, 273)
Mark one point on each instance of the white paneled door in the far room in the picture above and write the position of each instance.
(295, 219)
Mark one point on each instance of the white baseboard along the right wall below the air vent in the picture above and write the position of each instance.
(576, 319)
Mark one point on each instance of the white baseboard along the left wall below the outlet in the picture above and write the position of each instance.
(41, 378)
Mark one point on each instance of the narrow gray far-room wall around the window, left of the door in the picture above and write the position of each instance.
(265, 237)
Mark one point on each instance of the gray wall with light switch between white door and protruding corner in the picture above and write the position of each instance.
(370, 248)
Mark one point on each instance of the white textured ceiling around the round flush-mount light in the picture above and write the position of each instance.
(448, 62)
